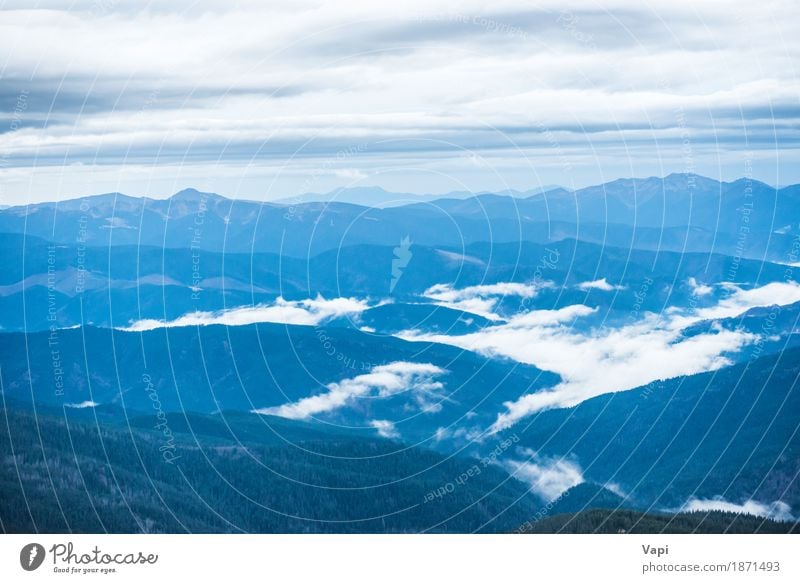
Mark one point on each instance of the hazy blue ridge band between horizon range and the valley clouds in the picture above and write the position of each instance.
(66, 285)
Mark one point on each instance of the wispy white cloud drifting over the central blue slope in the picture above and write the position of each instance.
(381, 382)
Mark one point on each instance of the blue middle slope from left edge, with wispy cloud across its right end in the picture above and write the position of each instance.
(210, 368)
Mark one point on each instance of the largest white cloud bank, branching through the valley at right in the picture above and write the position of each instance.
(594, 362)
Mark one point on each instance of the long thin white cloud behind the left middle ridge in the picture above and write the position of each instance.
(302, 313)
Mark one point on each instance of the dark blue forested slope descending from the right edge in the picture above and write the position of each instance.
(731, 433)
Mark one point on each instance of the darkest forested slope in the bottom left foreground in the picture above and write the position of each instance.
(65, 475)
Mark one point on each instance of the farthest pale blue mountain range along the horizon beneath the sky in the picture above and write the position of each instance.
(681, 212)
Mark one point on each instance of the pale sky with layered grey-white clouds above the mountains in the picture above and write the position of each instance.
(266, 100)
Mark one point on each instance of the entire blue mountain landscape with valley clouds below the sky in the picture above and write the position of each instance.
(364, 361)
